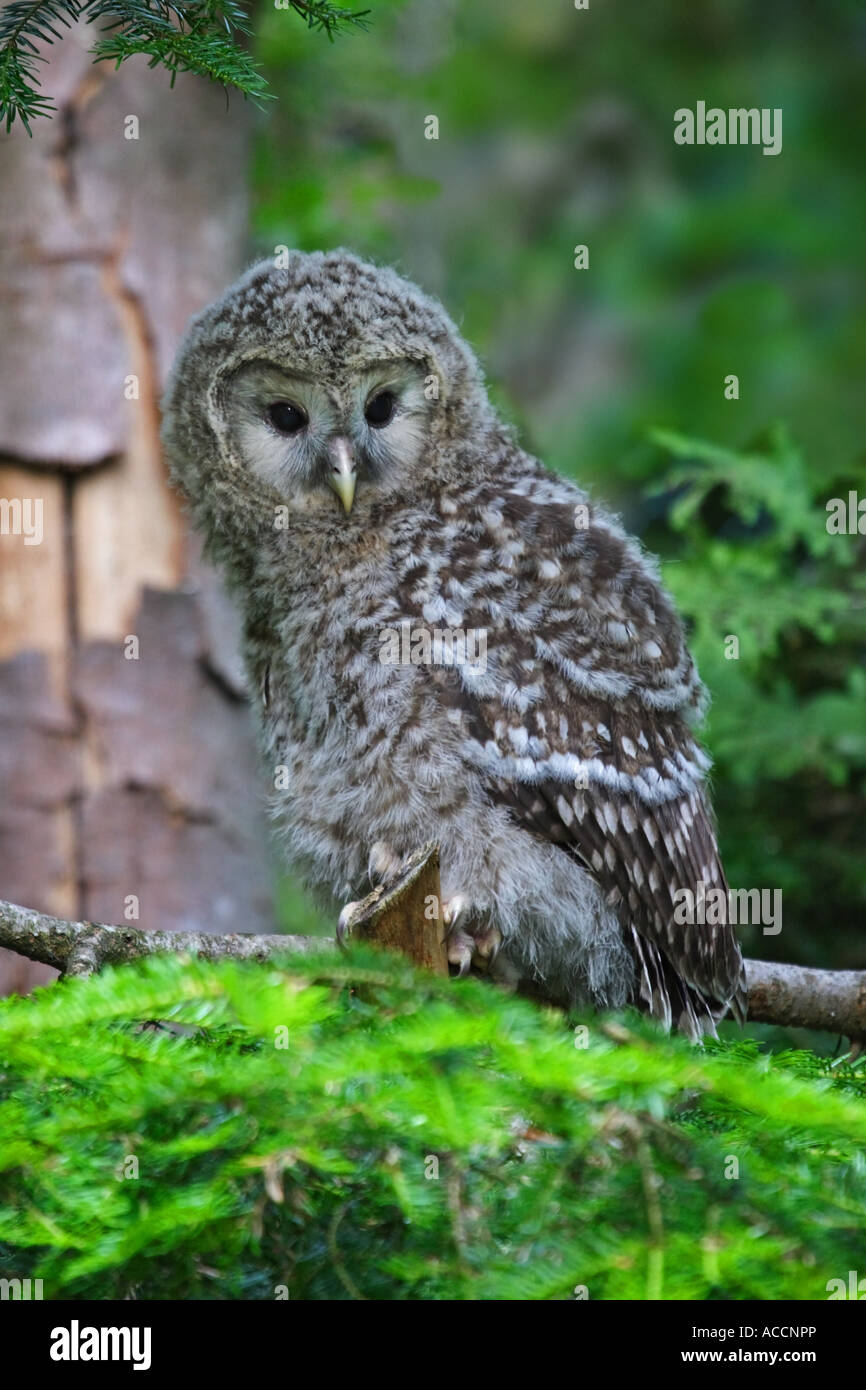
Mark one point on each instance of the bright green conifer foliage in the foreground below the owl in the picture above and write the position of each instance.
(261, 1167)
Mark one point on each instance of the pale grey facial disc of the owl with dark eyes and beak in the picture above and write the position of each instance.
(316, 440)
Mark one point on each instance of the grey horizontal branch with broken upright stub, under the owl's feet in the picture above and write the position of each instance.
(407, 917)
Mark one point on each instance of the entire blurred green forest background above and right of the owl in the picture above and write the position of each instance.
(555, 131)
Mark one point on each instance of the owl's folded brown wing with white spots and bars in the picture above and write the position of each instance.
(580, 722)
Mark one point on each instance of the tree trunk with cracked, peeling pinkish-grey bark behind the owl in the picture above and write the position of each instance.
(129, 782)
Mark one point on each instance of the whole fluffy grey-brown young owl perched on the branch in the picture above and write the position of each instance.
(447, 641)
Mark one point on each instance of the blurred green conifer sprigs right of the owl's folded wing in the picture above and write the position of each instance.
(751, 559)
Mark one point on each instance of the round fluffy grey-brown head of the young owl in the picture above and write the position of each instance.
(325, 384)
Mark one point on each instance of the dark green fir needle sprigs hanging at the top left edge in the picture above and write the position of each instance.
(188, 37)
